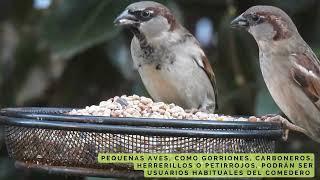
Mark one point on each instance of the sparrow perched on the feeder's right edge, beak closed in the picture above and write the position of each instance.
(289, 67)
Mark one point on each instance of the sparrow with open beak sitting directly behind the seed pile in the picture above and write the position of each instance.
(172, 66)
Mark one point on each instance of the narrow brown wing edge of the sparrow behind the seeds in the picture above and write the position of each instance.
(204, 64)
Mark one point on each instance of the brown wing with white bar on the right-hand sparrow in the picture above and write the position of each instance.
(306, 73)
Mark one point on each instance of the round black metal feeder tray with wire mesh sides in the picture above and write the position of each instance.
(48, 139)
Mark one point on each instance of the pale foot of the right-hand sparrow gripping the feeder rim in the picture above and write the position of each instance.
(286, 125)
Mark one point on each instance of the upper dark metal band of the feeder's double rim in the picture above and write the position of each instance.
(50, 114)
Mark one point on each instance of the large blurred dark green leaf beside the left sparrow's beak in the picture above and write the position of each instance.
(72, 27)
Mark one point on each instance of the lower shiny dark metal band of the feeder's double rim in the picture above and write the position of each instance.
(132, 130)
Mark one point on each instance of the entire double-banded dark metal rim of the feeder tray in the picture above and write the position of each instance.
(30, 117)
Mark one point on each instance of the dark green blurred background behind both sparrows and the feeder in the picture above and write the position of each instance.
(67, 53)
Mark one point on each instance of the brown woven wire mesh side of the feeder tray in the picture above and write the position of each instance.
(80, 149)
